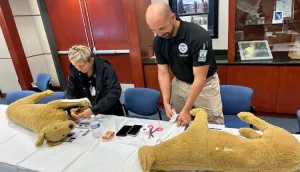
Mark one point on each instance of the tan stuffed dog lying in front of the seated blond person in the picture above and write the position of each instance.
(49, 120)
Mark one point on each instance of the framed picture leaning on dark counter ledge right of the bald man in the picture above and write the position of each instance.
(255, 50)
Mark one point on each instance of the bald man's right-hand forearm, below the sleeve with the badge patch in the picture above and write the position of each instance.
(197, 87)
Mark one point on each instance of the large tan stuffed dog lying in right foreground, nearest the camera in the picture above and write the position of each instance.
(200, 148)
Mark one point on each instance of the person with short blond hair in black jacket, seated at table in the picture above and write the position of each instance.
(94, 78)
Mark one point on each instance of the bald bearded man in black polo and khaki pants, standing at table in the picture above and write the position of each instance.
(187, 49)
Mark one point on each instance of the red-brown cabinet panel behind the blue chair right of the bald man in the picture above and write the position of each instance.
(262, 79)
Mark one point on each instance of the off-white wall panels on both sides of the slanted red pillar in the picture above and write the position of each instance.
(34, 41)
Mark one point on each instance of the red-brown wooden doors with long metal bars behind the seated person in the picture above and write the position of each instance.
(114, 25)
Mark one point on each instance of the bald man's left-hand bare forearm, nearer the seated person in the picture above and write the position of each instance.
(165, 87)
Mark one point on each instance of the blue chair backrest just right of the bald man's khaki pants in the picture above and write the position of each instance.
(236, 99)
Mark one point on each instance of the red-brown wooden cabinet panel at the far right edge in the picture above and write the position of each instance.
(288, 94)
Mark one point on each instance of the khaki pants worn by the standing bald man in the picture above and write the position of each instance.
(209, 98)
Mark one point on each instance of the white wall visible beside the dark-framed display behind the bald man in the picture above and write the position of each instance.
(222, 42)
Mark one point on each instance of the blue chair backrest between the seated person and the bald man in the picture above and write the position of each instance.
(142, 101)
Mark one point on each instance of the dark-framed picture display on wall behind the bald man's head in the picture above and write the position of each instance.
(201, 12)
